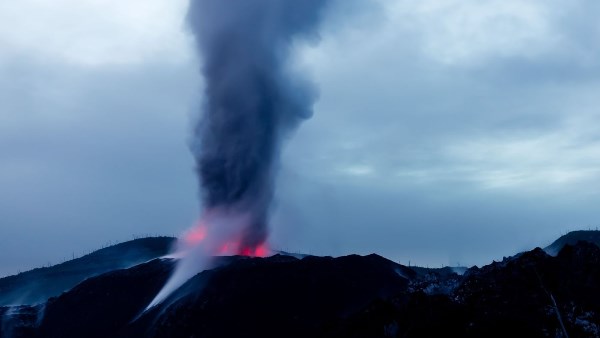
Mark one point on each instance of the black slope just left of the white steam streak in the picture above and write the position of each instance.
(103, 306)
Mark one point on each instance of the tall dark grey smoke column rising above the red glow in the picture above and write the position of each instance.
(251, 100)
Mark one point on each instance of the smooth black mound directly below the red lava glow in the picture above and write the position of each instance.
(278, 296)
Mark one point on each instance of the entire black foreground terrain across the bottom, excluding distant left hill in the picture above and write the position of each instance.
(531, 294)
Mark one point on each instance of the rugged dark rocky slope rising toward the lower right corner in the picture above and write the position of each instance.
(522, 296)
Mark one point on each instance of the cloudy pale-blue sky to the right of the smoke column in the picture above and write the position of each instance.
(457, 142)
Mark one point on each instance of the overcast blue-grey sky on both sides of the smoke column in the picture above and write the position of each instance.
(445, 132)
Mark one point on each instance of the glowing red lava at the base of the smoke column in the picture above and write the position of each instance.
(199, 234)
